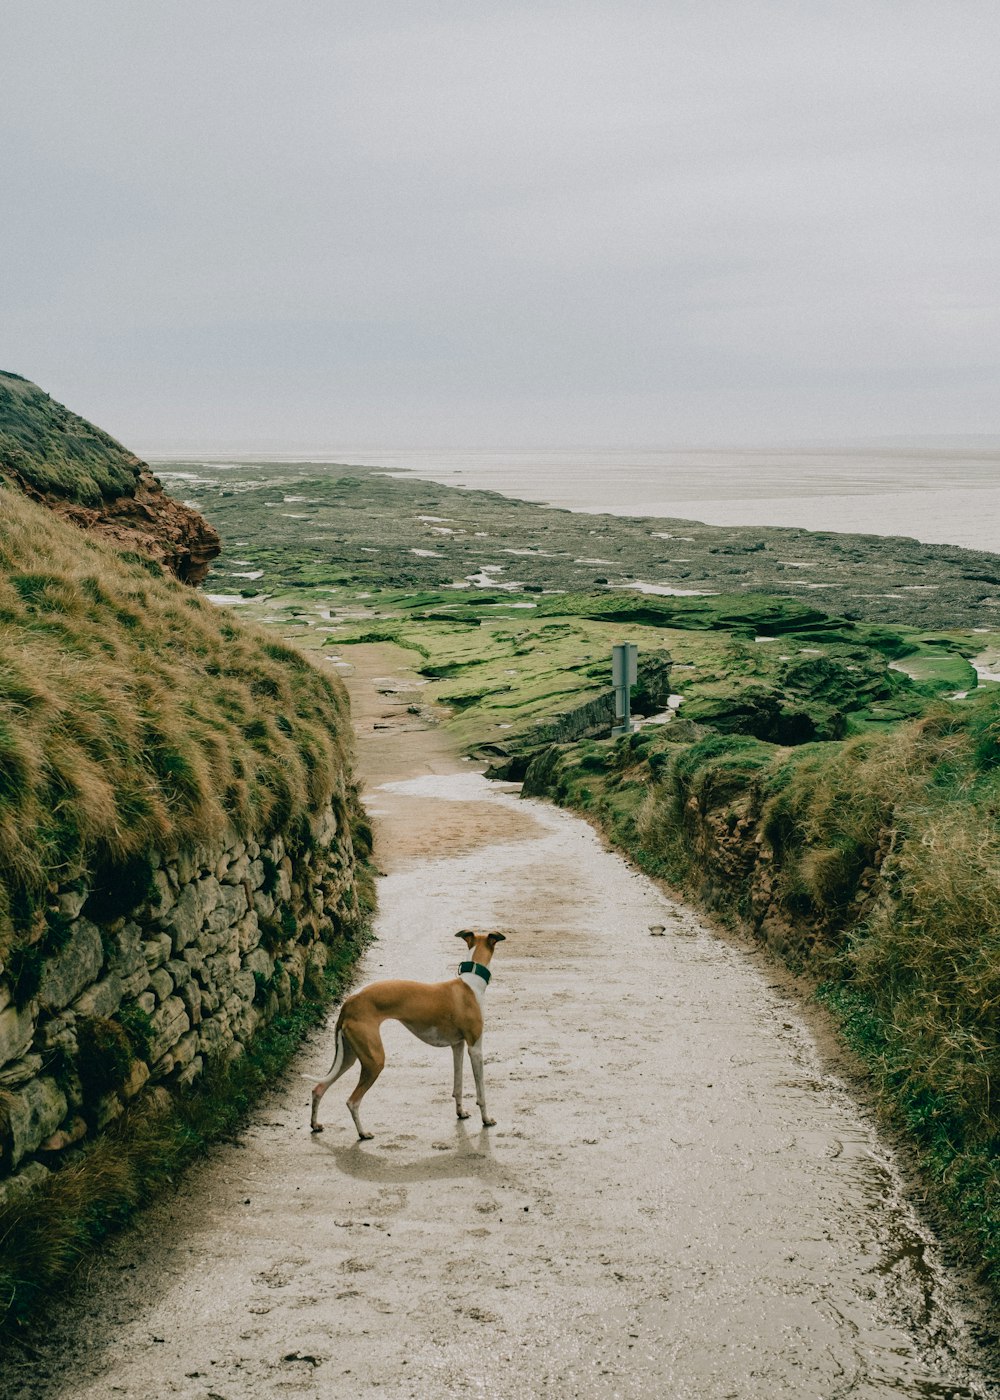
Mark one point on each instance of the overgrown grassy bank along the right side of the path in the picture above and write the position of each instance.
(872, 864)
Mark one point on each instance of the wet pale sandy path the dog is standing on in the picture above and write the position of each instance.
(680, 1199)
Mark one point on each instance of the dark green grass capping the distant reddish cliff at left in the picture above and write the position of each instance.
(53, 451)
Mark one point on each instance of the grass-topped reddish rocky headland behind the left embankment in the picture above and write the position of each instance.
(82, 474)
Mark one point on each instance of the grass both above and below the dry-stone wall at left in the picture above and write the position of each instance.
(137, 717)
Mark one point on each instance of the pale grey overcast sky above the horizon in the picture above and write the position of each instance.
(312, 223)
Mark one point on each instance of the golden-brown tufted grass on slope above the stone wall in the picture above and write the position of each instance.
(135, 715)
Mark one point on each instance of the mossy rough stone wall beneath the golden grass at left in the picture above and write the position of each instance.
(221, 941)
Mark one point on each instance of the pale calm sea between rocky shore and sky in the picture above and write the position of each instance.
(946, 496)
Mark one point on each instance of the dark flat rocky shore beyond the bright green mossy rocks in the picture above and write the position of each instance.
(362, 528)
